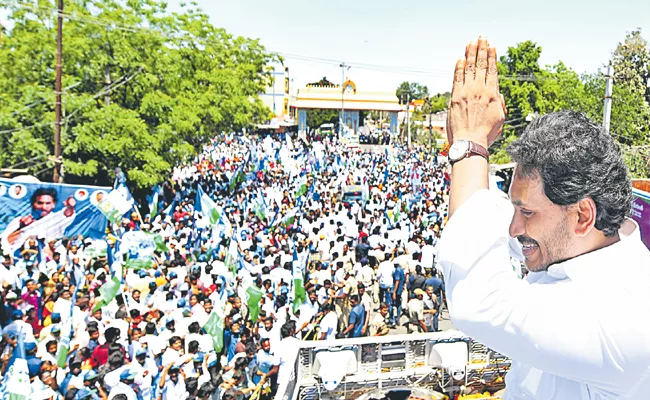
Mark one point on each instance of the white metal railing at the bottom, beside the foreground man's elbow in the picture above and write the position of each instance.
(412, 360)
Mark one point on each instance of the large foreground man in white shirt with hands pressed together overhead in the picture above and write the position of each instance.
(570, 197)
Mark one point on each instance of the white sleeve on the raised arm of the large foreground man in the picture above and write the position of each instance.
(552, 327)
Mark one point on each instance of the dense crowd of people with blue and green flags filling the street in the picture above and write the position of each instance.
(267, 241)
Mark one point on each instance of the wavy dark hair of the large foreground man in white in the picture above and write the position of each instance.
(575, 159)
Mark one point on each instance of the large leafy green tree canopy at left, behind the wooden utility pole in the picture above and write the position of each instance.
(144, 88)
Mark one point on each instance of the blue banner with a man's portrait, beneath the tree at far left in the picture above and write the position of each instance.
(49, 211)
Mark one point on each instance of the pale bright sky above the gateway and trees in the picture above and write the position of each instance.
(390, 42)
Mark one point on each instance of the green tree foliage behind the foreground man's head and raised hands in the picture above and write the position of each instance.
(531, 90)
